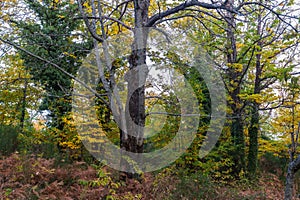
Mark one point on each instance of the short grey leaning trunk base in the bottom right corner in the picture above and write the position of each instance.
(293, 167)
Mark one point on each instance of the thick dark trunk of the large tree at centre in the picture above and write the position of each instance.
(132, 141)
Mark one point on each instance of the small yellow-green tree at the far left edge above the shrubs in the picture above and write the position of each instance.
(19, 95)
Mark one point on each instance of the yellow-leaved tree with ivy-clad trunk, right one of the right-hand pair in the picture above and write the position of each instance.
(273, 41)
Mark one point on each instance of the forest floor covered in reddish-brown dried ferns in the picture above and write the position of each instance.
(30, 177)
